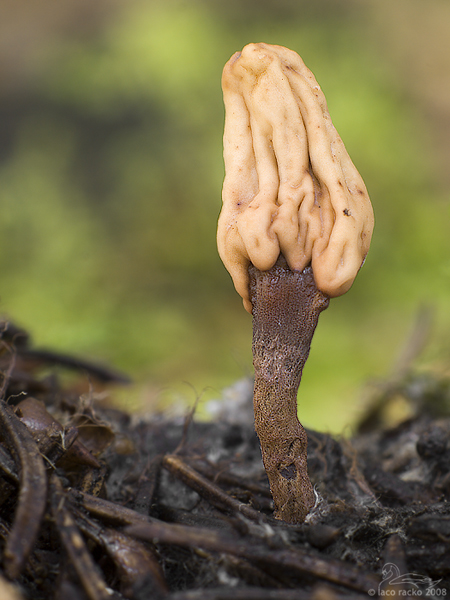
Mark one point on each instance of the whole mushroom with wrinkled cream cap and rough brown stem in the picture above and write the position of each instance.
(294, 230)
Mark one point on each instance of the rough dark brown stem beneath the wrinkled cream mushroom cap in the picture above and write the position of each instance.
(286, 307)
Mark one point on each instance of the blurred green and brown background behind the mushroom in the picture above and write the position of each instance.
(111, 168)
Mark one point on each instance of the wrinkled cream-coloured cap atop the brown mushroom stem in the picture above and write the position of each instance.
(290, 187)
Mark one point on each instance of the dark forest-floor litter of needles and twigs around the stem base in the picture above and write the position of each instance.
(98, 504)
